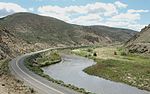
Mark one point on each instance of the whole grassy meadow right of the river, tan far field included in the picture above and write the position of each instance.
(115, 63)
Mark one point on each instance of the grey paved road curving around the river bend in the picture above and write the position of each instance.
(40, 84)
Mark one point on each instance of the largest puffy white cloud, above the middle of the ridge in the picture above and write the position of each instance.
(86, 15)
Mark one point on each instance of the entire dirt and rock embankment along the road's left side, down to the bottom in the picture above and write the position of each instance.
(10, 47)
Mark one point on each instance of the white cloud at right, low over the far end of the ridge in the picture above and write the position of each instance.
(127, 20)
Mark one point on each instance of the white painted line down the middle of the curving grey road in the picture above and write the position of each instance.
(36, 79)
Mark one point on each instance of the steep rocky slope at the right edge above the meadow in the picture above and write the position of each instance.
(140, 43)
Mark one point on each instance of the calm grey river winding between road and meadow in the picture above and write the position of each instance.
(70, 71)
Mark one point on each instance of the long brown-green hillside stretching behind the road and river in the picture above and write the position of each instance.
(24, 32)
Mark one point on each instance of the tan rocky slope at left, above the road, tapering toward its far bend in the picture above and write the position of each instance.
(12, 46)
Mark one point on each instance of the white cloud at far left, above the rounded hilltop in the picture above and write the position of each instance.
(9, 8)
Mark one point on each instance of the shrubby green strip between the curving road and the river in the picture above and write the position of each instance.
(36, 62)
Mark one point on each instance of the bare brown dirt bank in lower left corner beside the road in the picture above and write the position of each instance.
(9, 84)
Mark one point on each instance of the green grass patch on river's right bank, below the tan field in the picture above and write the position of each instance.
(133, 73)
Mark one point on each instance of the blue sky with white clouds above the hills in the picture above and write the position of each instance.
(131, 14)
